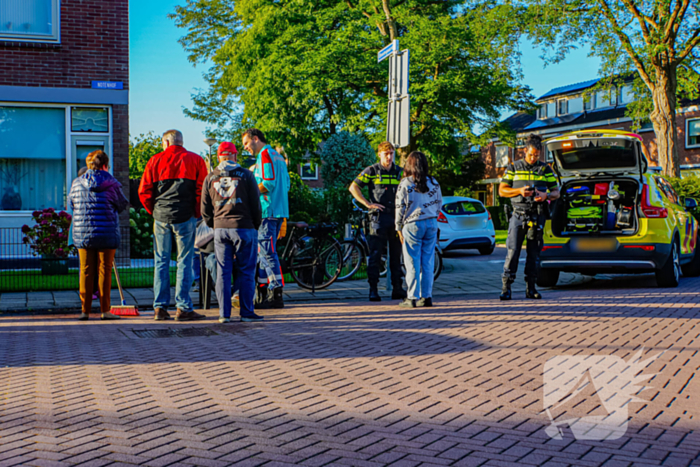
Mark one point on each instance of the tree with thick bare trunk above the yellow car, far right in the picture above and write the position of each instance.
(657, 40)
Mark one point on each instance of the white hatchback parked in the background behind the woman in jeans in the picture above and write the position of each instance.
(465, 223)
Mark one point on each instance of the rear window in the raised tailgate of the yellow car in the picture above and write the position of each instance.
(595, 153)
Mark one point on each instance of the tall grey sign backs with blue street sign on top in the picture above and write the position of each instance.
(398, 127)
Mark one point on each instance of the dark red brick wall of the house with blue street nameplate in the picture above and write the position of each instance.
(94, 46)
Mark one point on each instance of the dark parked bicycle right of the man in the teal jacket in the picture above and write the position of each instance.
(311, 255)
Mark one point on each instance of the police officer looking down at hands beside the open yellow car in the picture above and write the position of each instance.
(530, 184)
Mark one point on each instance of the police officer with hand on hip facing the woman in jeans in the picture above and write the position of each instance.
(382, 180)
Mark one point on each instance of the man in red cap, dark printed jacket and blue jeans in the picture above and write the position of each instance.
(231, 206)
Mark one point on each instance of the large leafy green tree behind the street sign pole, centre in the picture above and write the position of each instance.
(303, 70)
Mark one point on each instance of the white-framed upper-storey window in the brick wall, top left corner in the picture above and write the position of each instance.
(29, 20)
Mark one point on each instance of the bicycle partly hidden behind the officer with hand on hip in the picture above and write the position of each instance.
(356, 249)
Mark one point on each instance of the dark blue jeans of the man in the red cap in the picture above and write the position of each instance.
(235, 247)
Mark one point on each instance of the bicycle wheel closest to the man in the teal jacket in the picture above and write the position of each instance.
(317, 263)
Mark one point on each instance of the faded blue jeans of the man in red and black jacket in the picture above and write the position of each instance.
(163, 234)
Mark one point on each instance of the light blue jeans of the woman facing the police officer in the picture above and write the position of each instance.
(419, 239)
